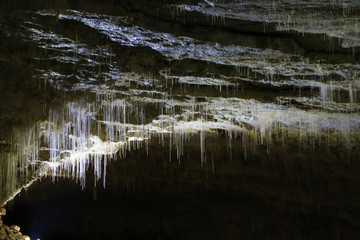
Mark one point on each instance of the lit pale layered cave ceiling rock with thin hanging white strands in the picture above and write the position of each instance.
(126, 110)
